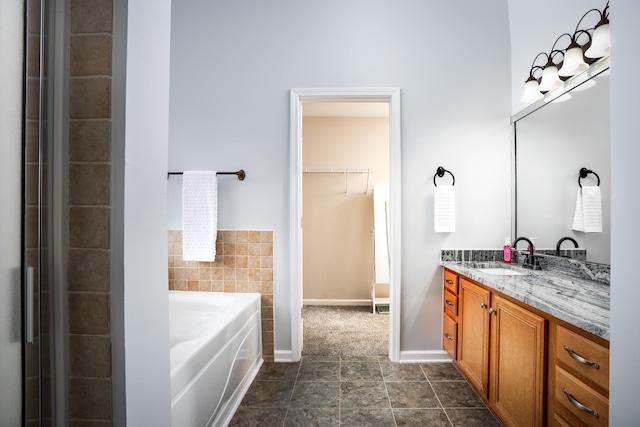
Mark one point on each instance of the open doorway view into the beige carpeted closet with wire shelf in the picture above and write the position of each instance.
(345, 157)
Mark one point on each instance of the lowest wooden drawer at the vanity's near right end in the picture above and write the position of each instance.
(582, 401)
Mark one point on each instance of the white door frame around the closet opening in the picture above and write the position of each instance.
(297, 97)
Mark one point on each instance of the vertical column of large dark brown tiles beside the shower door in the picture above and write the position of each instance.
(89, 339)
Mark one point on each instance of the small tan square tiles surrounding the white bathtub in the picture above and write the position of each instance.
(244, 263)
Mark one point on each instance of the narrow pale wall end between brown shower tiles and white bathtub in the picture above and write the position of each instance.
(146, 311)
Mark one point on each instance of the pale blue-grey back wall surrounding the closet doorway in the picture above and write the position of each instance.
(233, 64)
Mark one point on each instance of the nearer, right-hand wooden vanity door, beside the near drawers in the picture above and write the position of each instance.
(517, 364)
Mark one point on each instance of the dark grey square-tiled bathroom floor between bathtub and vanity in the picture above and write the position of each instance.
(360, 391)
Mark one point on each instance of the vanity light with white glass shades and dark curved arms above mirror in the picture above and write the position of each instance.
(576, 58)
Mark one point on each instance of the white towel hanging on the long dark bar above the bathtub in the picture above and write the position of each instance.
(199, 215)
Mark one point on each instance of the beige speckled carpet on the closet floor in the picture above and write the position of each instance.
(344, 331)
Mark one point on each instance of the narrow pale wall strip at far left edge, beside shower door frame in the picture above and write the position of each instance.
(11, 45)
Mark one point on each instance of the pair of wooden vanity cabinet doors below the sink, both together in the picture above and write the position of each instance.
(501, 352)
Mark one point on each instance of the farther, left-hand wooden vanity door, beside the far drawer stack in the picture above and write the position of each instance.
(473, 335)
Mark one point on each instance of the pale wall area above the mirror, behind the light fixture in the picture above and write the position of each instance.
(535, 26)
